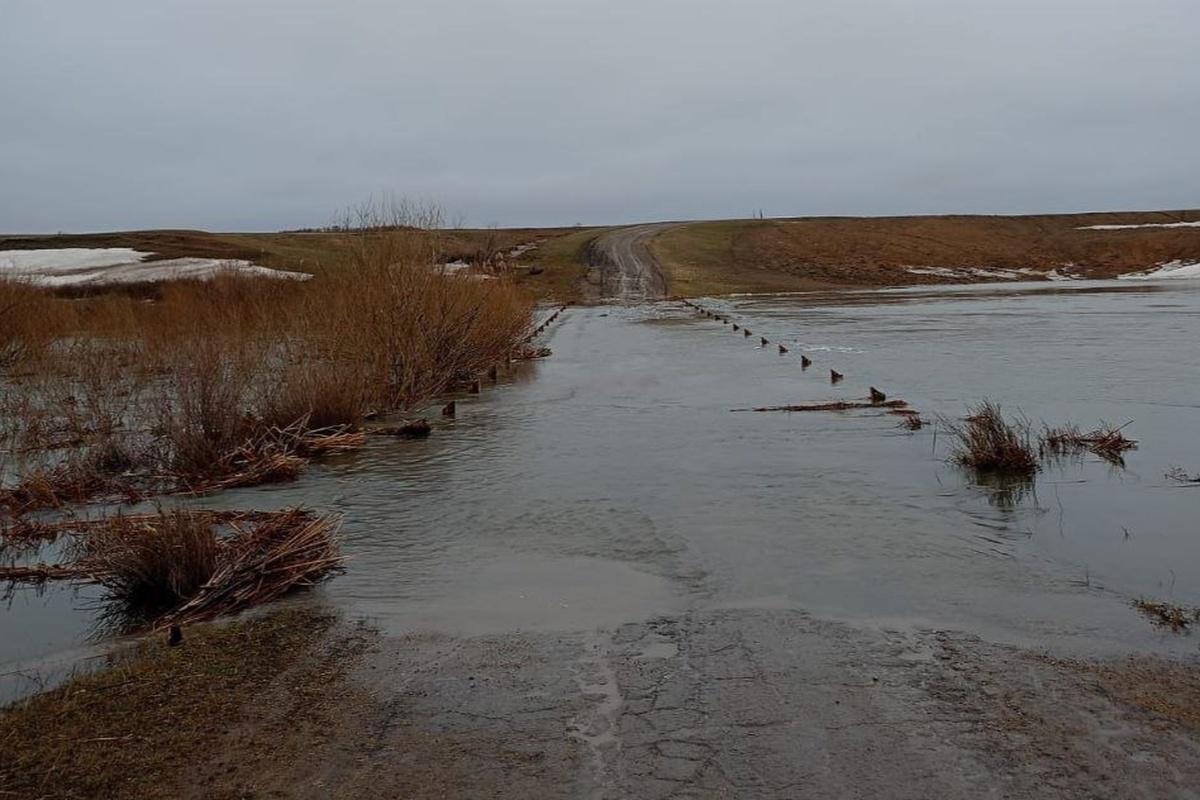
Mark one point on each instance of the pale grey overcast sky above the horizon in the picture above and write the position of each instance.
(267, 115)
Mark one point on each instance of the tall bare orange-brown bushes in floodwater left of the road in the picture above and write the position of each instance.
(200, 381)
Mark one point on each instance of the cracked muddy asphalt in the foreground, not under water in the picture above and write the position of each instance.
(727, 703)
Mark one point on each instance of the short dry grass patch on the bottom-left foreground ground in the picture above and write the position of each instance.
(161, 723)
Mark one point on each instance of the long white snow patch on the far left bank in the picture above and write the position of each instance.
(111, 266)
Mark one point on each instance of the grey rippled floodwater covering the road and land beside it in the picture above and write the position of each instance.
(616, 482)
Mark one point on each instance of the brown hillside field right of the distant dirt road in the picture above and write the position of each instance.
(815, 254)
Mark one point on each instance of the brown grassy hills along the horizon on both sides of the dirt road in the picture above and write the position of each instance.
(718, 257)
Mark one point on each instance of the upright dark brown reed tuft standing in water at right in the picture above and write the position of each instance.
(989, 443)
